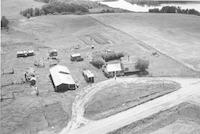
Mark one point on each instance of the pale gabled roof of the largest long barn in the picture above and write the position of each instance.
(61, 75)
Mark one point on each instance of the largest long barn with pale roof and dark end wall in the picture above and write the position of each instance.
(61, 78)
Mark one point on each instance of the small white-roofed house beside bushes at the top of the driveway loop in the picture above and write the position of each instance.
(110, 70)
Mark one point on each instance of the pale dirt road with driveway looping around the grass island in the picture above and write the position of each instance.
(190, 88)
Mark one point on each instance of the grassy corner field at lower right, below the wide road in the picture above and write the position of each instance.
(180, 119)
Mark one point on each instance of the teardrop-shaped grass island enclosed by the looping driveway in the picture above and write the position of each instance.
(124, 95)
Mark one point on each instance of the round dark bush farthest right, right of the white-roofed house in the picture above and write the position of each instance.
(142, 64)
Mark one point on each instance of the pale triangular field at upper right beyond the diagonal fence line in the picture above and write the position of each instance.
(175, 35)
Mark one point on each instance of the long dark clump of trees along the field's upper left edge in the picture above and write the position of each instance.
(54, 8)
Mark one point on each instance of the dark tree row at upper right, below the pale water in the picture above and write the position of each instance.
(173, 9)
